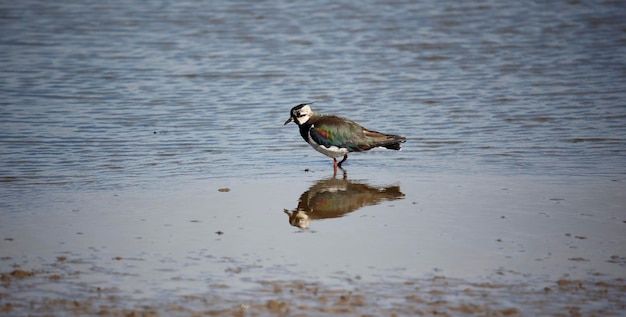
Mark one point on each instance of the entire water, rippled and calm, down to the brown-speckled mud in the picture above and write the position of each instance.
(121, 121)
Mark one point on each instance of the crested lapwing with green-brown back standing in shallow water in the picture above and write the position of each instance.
(336, 136)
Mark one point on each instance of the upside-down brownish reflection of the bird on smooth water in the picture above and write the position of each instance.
(333, 197)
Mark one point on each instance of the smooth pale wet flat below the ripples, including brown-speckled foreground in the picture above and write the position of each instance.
(432, 245)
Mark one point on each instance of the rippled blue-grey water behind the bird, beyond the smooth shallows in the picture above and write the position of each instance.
(111, 94)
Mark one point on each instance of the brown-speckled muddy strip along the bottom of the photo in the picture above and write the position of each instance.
(438, 295)
